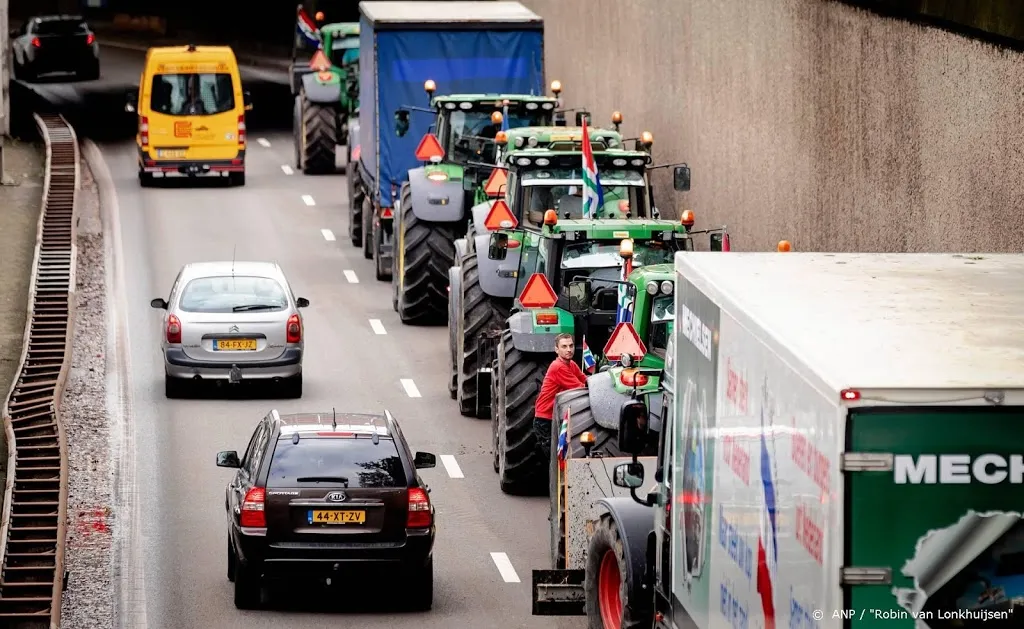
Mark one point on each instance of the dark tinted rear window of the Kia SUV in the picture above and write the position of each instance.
(358, 460)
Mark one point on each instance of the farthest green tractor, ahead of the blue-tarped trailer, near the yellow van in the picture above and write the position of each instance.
(326, 90)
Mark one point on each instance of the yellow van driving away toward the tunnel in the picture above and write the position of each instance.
(192, 114)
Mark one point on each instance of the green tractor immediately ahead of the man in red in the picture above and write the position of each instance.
(569, 281)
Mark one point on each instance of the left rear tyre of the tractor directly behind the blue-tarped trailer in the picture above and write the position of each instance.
(429, 251)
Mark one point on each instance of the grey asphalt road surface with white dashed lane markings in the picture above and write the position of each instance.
(359, 358)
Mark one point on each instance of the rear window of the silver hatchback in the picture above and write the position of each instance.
(233, 295)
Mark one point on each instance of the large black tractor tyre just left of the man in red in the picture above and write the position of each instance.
(523, 470)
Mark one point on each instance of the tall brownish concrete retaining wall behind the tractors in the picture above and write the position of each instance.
(808, 120)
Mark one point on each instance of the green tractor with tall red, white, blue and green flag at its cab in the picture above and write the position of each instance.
(543, 169)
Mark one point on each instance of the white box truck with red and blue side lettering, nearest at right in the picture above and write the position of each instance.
(843, 449)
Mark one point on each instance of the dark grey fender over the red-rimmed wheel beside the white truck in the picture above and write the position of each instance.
(635, 524)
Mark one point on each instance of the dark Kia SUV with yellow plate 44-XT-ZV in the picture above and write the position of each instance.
(328, 496)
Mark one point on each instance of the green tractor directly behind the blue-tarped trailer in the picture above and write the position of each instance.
(435, 203)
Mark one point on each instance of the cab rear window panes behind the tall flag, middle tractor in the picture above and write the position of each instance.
(562, 190)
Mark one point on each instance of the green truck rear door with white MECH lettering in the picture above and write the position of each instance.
(942, 510)
